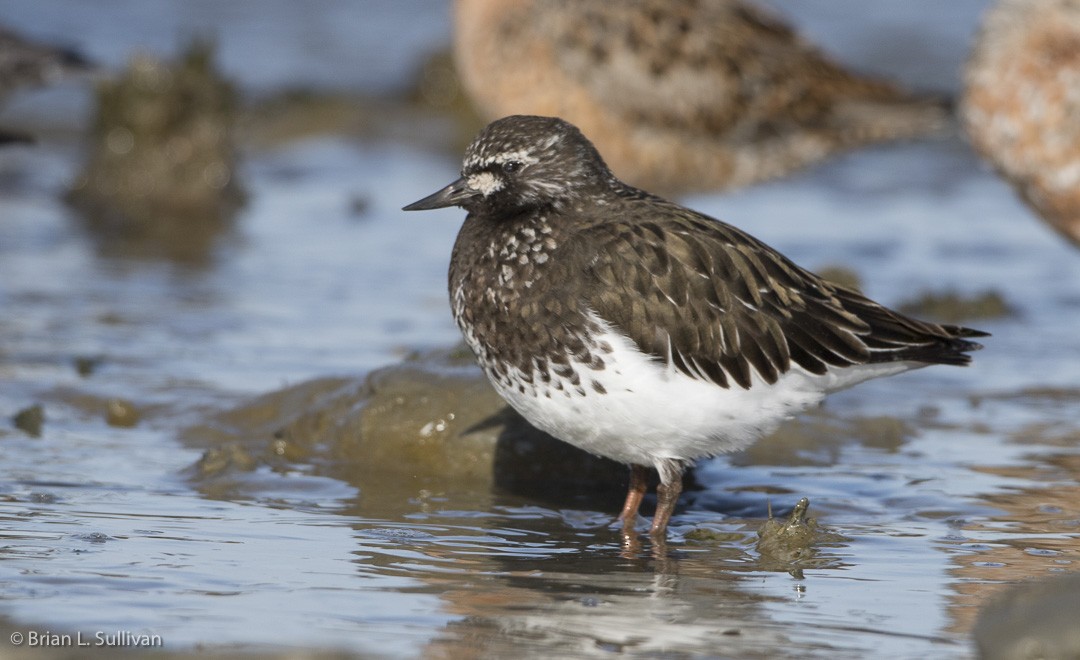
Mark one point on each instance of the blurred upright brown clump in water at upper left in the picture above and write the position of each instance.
(160, 179)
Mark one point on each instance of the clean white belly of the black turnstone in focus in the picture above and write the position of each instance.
(640, 411)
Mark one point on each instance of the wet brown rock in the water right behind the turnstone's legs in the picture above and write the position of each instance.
(433, 420)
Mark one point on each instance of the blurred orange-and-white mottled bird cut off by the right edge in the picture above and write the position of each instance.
(1022, 104)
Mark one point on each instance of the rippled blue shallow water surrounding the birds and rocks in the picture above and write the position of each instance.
(103, 531)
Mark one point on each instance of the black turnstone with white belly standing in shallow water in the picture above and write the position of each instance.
(640, 330)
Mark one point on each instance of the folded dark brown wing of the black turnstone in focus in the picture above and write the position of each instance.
(718, 304)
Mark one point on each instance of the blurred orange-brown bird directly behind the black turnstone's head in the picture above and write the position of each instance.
(679, 95)
